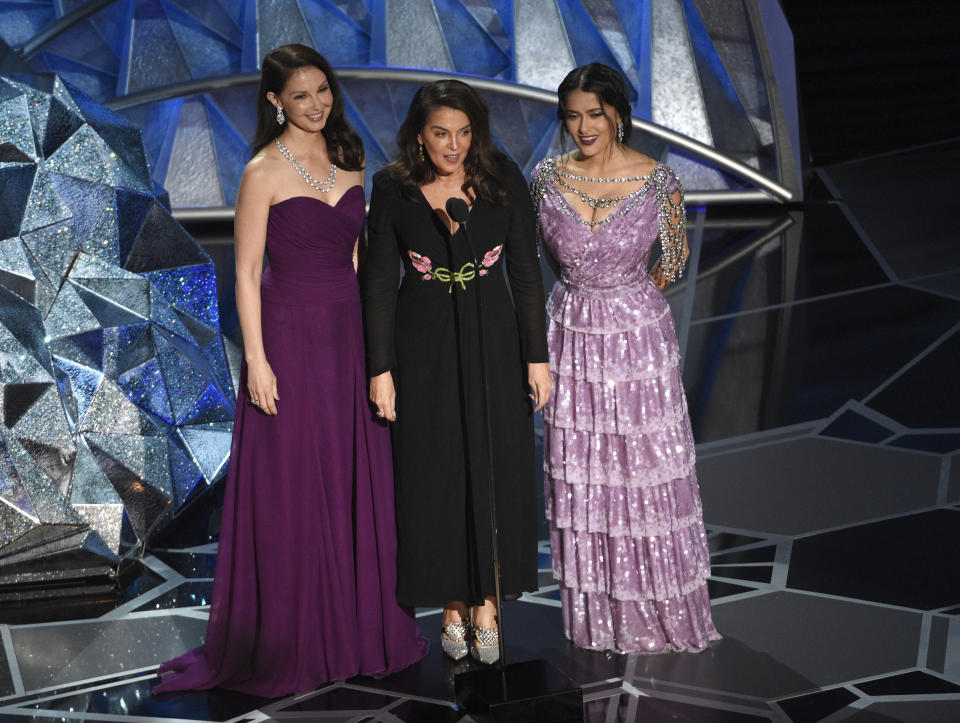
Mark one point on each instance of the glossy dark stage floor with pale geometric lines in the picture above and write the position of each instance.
(820, 363)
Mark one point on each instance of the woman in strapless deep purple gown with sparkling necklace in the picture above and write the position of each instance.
(305, 588)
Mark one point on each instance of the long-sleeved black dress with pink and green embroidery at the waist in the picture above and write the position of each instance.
(425, 333)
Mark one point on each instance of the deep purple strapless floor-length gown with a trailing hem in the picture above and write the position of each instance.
(305, 588)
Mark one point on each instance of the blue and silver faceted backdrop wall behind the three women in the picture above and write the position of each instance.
(699, 67)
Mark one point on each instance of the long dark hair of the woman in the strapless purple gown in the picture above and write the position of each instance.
(343, 143)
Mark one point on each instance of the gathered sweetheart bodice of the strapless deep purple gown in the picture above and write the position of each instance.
(310, 247)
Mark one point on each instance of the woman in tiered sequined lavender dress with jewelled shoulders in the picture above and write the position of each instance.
(627, 536)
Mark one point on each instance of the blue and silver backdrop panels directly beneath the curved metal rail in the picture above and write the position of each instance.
(198, 144)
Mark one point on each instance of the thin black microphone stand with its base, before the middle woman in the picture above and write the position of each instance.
(532, 690)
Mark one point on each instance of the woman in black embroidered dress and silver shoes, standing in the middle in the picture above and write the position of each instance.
(424, 360)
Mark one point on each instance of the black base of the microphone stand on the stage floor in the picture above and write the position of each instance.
(520, 692)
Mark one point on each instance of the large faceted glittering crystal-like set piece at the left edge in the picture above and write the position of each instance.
(116, 392)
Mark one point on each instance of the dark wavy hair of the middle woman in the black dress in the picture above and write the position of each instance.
(481, 166)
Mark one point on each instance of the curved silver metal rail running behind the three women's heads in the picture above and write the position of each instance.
(770, 190)
